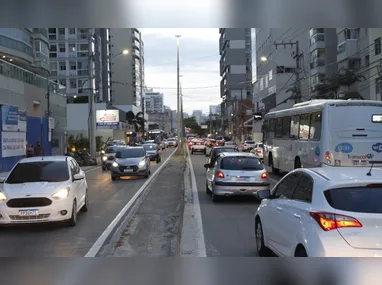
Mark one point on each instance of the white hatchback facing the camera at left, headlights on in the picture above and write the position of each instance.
(43, 189)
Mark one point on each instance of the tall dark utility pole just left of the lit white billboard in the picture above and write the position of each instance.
(92, 112)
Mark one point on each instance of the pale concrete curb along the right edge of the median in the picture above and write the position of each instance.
(201, 250)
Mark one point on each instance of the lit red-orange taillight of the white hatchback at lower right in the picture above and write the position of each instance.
(330, 221)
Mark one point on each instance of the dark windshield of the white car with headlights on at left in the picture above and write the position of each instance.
(39, 171)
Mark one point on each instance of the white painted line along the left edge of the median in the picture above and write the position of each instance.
(101, 240)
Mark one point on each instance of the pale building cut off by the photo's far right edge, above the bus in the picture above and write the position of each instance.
(375, 57)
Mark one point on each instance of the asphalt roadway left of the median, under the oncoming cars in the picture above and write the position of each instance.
(106, 199)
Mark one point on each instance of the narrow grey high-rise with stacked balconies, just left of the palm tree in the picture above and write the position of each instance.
(323, 57)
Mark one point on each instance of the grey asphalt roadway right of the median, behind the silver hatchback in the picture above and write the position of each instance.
(228, 225)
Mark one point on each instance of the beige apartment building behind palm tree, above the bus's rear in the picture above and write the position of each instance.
(353, 53)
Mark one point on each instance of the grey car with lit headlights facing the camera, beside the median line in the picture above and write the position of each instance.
(130, 162)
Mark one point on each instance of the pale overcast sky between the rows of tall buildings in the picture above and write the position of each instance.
(199, 65)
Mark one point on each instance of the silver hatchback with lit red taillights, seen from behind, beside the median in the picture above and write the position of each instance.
(235, 173)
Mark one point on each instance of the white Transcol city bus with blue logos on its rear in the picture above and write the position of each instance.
(331, 132)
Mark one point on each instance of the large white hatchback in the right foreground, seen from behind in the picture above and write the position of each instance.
(322, 212)
